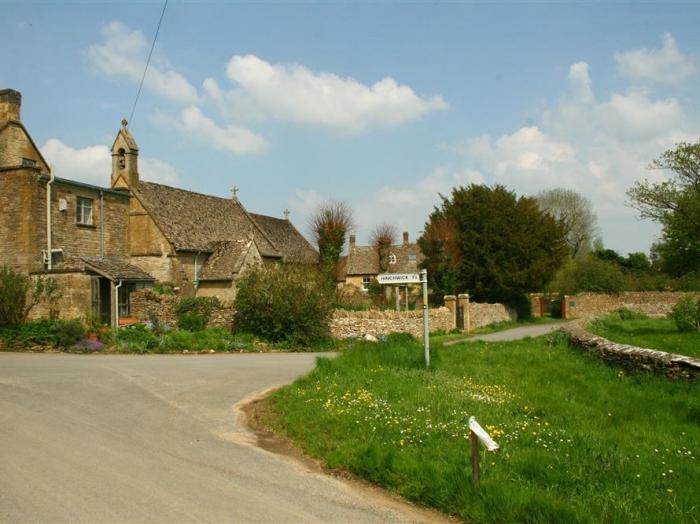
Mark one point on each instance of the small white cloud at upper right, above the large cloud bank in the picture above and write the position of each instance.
(665, 65)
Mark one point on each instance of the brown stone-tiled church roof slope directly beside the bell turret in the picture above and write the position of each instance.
(196, 222)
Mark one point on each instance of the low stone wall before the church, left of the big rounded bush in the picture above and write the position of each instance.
(146, 305)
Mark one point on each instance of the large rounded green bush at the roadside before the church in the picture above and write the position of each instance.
(284, 302)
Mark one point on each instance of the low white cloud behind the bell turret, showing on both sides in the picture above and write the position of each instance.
(93, 164)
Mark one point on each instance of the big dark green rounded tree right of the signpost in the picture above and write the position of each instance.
(492, 244)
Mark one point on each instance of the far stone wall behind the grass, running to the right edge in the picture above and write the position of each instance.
(652, 303)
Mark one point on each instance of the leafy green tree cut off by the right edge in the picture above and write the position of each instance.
(675, 204)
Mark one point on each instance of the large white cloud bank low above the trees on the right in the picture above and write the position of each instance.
(597, 147)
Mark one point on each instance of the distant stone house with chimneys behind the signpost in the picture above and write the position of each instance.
(362, 263)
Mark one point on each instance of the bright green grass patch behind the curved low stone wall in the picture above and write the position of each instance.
(653, 333)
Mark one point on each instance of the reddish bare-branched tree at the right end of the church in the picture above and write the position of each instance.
(330, 224)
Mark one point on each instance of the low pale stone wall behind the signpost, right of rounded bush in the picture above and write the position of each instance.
(355, 324)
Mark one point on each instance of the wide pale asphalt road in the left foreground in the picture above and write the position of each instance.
(120, 438)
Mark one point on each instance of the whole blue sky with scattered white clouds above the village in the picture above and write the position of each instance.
(383, 105)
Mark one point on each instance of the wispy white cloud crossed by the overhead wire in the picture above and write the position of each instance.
(123, 53)
